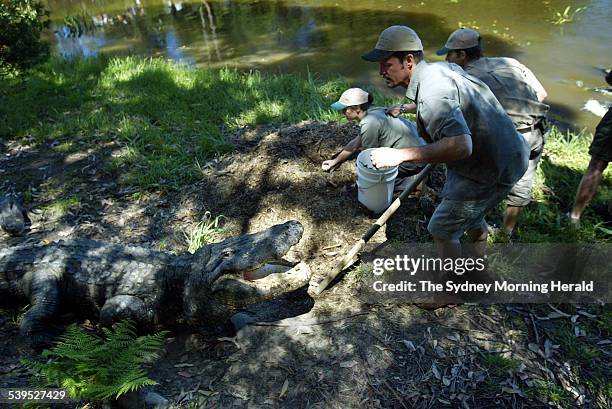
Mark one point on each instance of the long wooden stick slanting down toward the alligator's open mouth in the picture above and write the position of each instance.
(350, 257)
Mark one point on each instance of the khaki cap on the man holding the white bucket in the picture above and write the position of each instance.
(392, 39)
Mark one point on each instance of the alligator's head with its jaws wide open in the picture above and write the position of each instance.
(216, 288)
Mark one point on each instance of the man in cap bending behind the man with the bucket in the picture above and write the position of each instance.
(521, 95)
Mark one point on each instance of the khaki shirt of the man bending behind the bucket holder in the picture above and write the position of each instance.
(515, 87)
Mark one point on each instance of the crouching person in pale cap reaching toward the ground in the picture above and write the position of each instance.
(376, 130)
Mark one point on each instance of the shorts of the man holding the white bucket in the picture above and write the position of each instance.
(452, 218)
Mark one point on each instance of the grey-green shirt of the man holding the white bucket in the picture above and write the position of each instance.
(450, 103)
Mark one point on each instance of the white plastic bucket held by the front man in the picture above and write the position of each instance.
(375, 186)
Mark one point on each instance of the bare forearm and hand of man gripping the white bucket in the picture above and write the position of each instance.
(445, 150)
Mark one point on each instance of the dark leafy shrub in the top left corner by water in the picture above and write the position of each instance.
(21, 24)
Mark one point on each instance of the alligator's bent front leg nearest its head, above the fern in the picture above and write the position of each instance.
(122, 307)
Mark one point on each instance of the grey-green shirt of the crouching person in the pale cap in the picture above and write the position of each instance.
(381, 130)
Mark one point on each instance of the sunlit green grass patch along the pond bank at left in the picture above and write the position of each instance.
(167, 117)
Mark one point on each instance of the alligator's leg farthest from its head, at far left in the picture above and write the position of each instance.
(44, 301)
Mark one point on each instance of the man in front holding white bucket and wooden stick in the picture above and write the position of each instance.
(467, 129)
